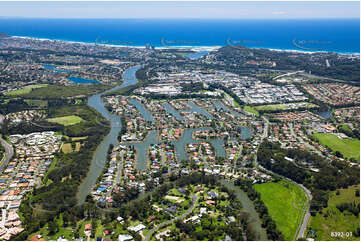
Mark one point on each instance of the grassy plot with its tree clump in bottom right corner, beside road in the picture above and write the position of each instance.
(342, 214)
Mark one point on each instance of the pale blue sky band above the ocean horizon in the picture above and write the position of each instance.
(203, 10)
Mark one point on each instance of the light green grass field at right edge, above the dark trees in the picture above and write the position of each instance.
(349, 148)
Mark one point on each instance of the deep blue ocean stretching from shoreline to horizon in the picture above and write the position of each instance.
(338, 35)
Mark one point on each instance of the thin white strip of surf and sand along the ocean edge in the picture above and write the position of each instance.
(193, 48)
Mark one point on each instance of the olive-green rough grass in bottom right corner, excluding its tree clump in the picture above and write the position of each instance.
(332, 220)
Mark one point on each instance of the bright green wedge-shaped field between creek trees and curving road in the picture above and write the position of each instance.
(285, 202)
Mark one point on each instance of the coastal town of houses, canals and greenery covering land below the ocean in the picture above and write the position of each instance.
(122, 143)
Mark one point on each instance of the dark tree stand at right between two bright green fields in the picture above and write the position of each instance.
(331, 176)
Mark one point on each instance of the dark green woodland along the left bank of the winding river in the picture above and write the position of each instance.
(43, 206)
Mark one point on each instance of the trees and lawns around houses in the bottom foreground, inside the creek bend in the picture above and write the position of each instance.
(71, 222)
